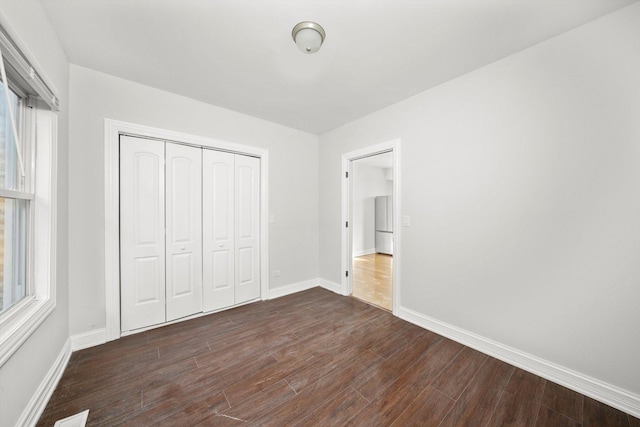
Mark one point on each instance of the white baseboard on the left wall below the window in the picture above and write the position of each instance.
(38, 402)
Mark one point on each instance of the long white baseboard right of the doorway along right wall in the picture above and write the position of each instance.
(596, 389)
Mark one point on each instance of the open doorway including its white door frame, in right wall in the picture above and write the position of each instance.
(371, 250)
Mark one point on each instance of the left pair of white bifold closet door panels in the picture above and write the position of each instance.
(160, 232)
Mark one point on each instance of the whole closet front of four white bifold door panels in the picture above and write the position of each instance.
(189, 230)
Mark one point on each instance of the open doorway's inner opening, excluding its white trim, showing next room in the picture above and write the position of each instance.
(372, 229)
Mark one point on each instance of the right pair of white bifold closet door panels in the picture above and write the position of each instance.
(231, 229)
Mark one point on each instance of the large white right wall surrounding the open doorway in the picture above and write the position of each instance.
(522, 181)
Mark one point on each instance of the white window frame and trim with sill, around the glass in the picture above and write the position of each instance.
(21, 320)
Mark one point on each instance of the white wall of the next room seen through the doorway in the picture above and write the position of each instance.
(368, 182)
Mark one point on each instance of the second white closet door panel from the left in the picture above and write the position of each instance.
(184, 230)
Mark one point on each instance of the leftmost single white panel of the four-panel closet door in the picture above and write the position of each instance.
(142, 254)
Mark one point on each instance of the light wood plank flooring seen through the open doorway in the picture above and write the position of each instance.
(372, 279)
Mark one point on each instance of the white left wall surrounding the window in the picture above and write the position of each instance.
(21, 375)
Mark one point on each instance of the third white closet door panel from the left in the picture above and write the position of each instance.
(218, 185)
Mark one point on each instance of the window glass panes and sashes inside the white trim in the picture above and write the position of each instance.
(15, 203)
